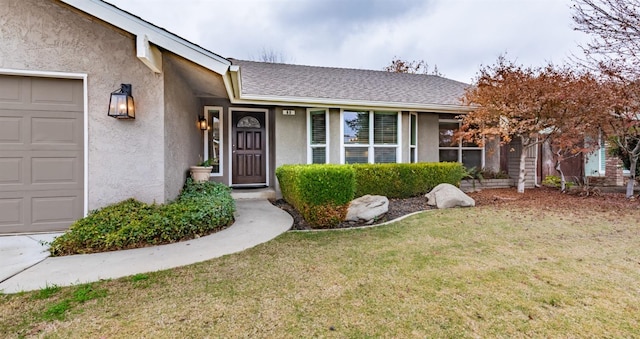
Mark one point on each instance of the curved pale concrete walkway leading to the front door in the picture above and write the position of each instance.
(257, 221)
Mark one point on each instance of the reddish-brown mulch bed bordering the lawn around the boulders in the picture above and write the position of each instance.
(543, 198)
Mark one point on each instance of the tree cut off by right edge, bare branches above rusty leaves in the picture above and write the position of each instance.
(615, 51)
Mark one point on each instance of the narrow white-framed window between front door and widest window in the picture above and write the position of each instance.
(317, 136)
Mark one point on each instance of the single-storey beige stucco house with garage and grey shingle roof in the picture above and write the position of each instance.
(61, 155)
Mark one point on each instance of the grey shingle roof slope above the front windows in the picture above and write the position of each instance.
(272, 79)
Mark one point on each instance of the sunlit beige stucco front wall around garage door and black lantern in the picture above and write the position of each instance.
(125, 157)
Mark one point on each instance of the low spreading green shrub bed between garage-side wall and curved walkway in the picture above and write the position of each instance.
(200, 209)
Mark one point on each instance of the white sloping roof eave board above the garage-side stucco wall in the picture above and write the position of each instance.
(153, 34)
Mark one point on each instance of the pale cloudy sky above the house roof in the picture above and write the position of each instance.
(456, 35)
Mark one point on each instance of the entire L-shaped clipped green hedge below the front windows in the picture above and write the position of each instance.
(321, 193)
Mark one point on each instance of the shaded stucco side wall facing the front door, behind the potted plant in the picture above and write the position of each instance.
(183, 141)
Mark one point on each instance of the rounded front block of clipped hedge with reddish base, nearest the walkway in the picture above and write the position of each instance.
(321, 193)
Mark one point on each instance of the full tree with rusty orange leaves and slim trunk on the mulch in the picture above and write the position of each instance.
(534, 106)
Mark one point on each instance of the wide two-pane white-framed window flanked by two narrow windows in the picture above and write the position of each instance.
(370, 137)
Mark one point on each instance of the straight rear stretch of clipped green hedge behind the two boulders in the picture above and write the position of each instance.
(405, 180)
